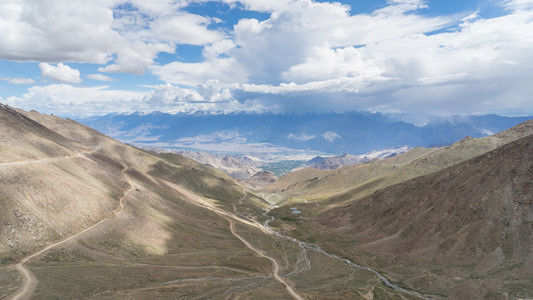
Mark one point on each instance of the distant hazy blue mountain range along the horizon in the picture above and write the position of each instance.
(353, 133)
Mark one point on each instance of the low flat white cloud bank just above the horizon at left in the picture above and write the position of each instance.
(65, 99)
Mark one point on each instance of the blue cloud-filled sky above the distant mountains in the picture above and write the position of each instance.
(419, 57)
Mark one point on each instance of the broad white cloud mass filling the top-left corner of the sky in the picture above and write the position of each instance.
(98, 32)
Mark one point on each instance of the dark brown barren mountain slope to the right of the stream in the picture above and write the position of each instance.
(465, 232)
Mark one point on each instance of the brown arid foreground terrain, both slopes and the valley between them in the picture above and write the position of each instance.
(85, 216)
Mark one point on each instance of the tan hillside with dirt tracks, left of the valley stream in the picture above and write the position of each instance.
(85, 216)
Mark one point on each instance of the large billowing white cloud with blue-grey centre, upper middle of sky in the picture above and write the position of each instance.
(302, 42)
